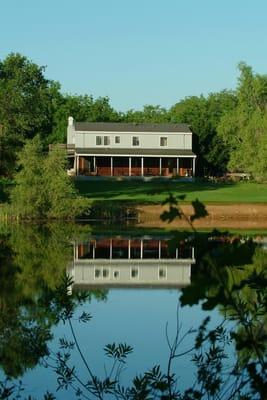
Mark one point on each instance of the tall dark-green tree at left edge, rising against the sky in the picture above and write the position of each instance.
(25, 98)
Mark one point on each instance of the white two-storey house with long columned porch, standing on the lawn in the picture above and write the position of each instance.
(128, 149)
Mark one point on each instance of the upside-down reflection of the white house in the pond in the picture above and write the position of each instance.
(120, 262)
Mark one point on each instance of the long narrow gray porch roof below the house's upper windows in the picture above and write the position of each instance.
(135, 152)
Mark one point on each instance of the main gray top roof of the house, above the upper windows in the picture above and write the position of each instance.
(130, 127)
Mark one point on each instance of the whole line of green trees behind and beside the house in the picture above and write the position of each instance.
(230, 127)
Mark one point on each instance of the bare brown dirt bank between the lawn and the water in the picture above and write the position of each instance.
(235, 216)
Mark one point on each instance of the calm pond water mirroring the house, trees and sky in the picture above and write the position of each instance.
(141, 290)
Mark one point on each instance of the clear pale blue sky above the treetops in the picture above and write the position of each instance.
(138, 52)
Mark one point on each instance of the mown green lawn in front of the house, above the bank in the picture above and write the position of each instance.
(156, 191)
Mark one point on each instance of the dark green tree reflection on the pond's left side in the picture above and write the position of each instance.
(33, 261)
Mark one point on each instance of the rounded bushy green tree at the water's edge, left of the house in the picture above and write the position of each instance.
(43, 189)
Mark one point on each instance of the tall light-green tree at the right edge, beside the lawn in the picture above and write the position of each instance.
(244, 129)
